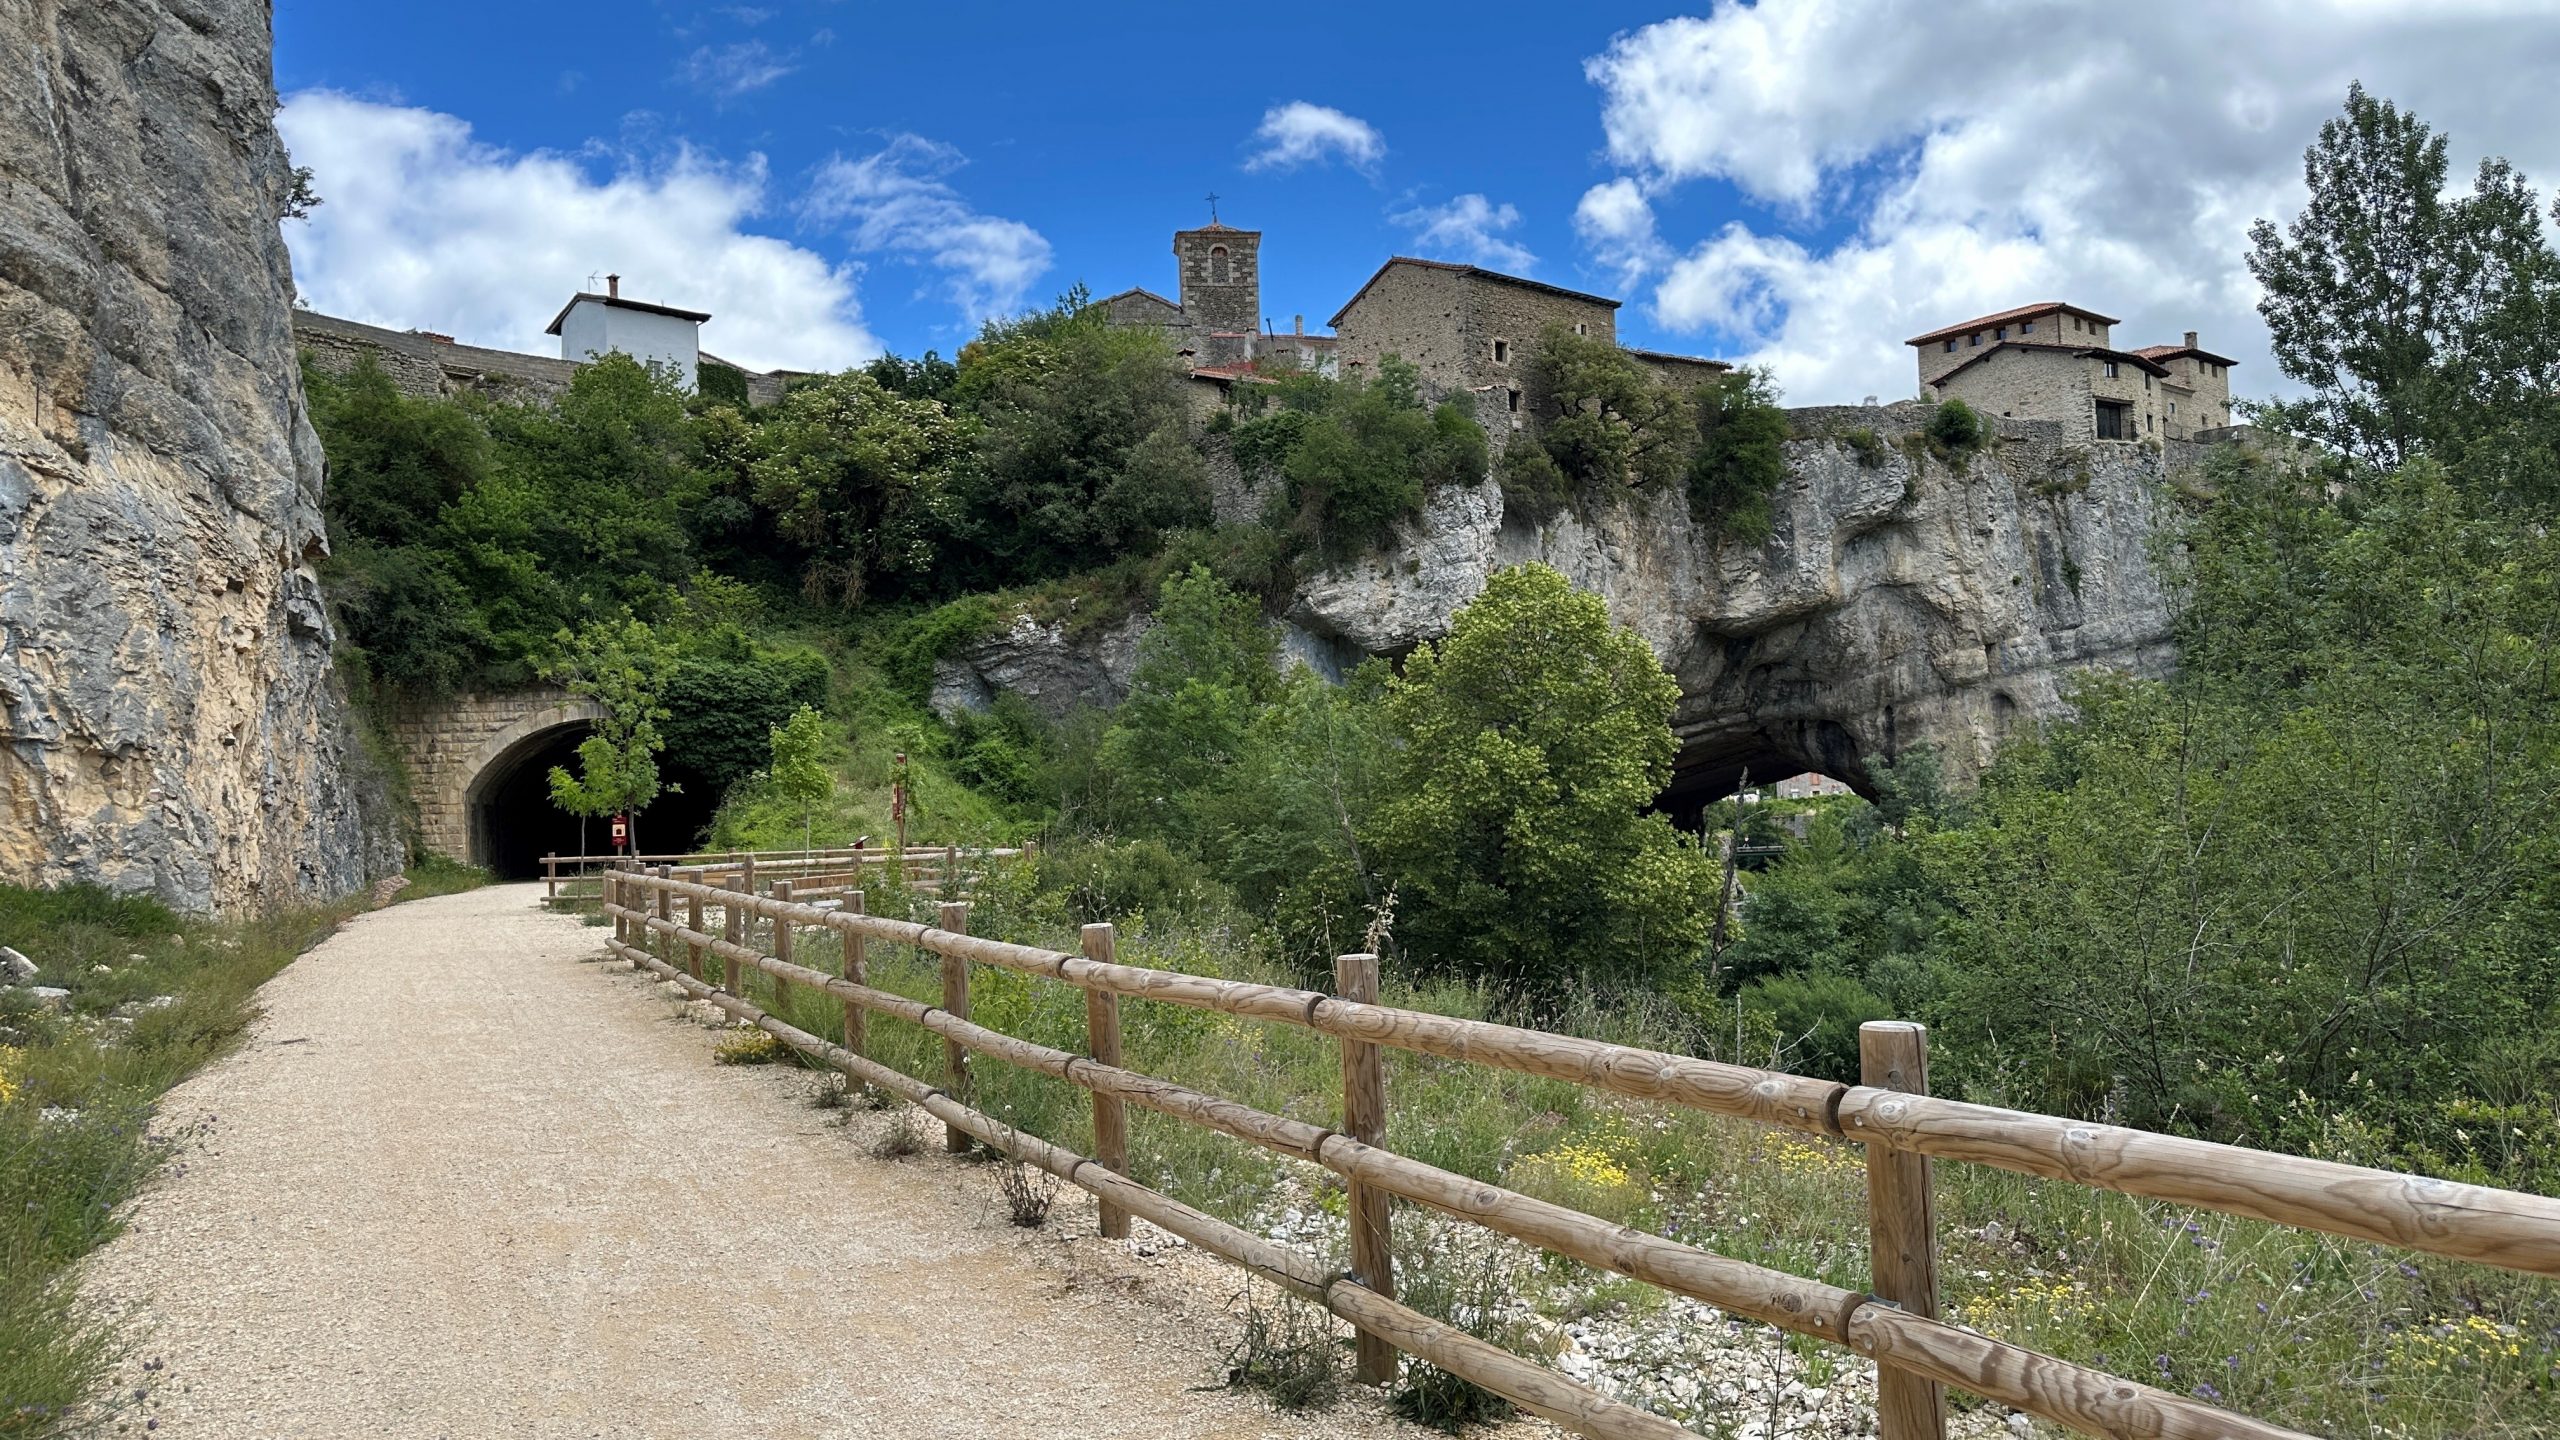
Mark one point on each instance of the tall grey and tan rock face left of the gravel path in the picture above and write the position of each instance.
(168, 708)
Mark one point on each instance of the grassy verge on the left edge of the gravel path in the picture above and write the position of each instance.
(78, 1090)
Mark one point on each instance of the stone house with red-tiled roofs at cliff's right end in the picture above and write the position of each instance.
(2060, 363)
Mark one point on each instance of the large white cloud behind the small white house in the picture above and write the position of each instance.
(429, 229)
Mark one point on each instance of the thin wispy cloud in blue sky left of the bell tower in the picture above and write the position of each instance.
(902, 204)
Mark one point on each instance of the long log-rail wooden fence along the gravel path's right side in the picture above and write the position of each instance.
(1891, 1113)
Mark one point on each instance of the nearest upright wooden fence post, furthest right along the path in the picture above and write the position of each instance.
(1901, 1229)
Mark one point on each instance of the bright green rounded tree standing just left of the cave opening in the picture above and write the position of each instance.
(1514, 829)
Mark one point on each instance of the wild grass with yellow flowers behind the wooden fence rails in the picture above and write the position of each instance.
(2298, 1329)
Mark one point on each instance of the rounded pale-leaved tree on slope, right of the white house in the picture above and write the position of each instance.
(854, 480)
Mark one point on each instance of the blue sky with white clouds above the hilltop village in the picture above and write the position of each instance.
(1798, 183)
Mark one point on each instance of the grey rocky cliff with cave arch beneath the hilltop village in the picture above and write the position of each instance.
(1898, 603)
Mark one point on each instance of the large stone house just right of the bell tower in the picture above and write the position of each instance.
(1473, 334)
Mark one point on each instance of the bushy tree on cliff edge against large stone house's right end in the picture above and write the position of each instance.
(1604, 416)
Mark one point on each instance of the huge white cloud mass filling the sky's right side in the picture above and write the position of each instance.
(1978, 155)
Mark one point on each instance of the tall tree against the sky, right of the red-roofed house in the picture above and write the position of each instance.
(2423, 324)
